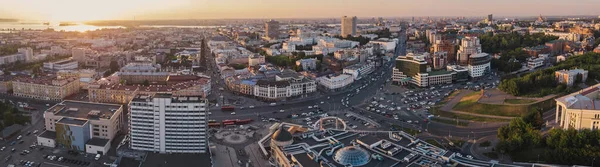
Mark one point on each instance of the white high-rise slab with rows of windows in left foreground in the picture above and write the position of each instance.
(168, 124)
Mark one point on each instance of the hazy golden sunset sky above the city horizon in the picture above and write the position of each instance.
(81, 10)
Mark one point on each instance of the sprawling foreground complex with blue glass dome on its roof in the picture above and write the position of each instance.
(289, 145)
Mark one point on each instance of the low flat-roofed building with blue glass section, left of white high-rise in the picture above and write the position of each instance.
(82, 126)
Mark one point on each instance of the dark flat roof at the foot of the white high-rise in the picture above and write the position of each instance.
(179, 160)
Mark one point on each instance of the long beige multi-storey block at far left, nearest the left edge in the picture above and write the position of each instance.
(46, 87)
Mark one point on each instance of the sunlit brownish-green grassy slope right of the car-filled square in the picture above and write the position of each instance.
(469, 104)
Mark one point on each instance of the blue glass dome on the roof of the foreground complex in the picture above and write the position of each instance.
(352, 155)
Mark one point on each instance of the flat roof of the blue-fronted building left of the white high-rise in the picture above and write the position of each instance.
(84, 110)
